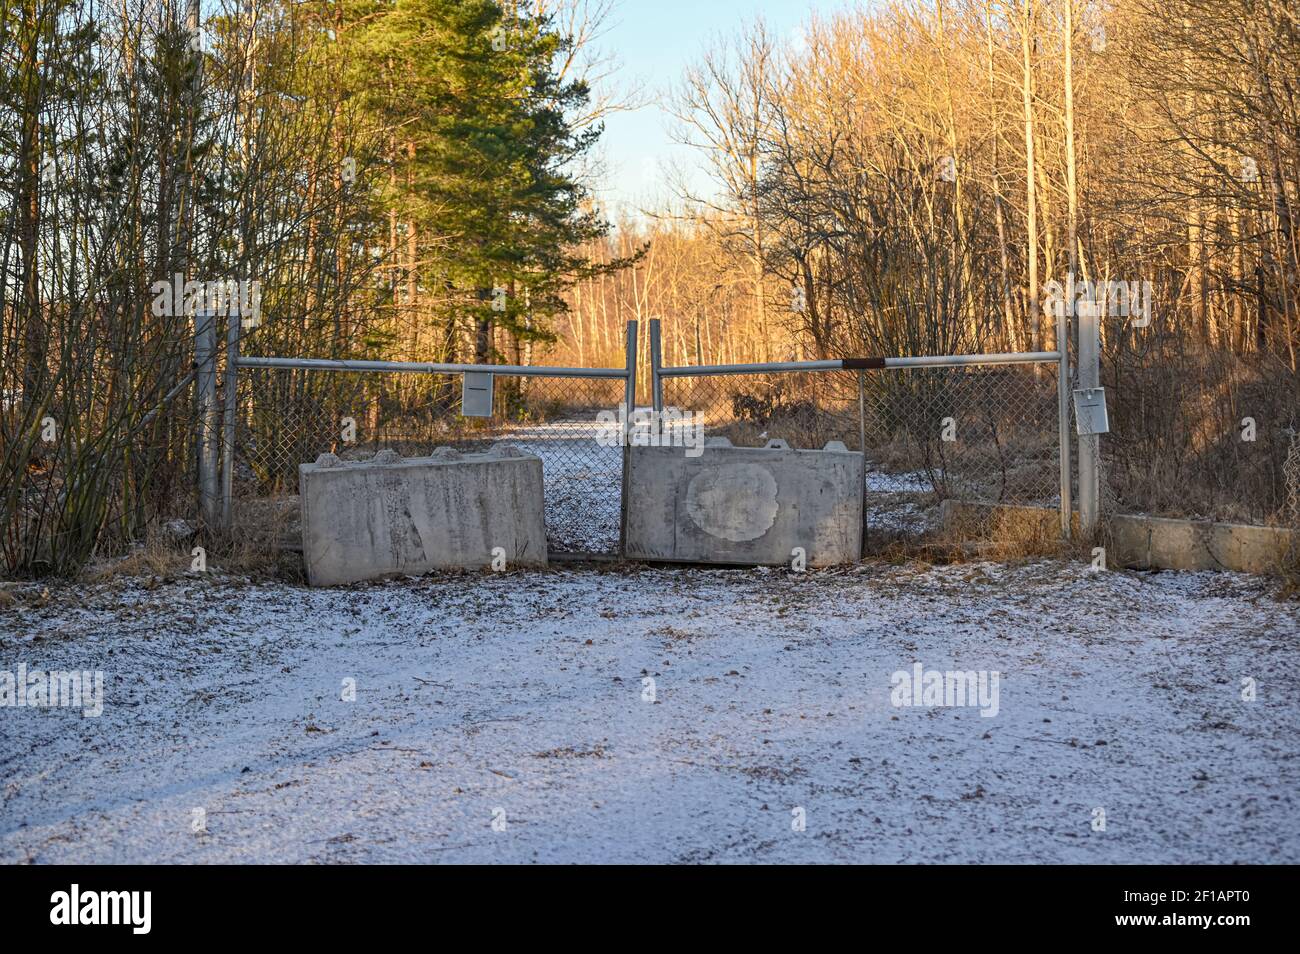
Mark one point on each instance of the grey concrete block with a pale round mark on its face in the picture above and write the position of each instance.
(746, 505)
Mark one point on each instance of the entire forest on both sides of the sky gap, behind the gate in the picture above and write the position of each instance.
(413, 180)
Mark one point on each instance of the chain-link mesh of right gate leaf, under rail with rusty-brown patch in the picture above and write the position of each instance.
(976, 433)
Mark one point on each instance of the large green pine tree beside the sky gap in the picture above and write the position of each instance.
(483, 153)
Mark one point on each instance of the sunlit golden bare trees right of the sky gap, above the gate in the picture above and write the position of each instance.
(909, 177)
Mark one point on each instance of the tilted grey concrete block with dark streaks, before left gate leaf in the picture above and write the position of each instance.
(392, 515)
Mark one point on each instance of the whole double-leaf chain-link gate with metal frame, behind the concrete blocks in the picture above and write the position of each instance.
(980, 428)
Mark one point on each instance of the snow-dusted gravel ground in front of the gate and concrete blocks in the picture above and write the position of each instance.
(521, 697)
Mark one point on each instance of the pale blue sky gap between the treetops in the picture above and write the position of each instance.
(656, 41)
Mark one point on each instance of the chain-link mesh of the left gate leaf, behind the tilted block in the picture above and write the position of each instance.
(292, 417)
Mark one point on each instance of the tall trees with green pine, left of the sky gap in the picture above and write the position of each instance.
(400, 180)
